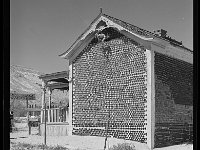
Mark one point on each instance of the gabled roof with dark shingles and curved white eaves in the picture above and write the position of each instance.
(141, 36)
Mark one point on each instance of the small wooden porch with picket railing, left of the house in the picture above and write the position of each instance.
(54, 118)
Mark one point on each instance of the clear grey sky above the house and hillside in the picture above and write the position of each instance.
(40, 30)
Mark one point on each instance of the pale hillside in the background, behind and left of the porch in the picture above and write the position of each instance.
(25, 80)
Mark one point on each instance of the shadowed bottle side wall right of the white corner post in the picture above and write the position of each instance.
(173, 101)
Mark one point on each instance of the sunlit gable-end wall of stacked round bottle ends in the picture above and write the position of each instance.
(110, 90)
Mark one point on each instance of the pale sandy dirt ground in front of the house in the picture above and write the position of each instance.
(20, 135)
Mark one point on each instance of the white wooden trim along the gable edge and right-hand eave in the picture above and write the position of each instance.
(89, 33)
